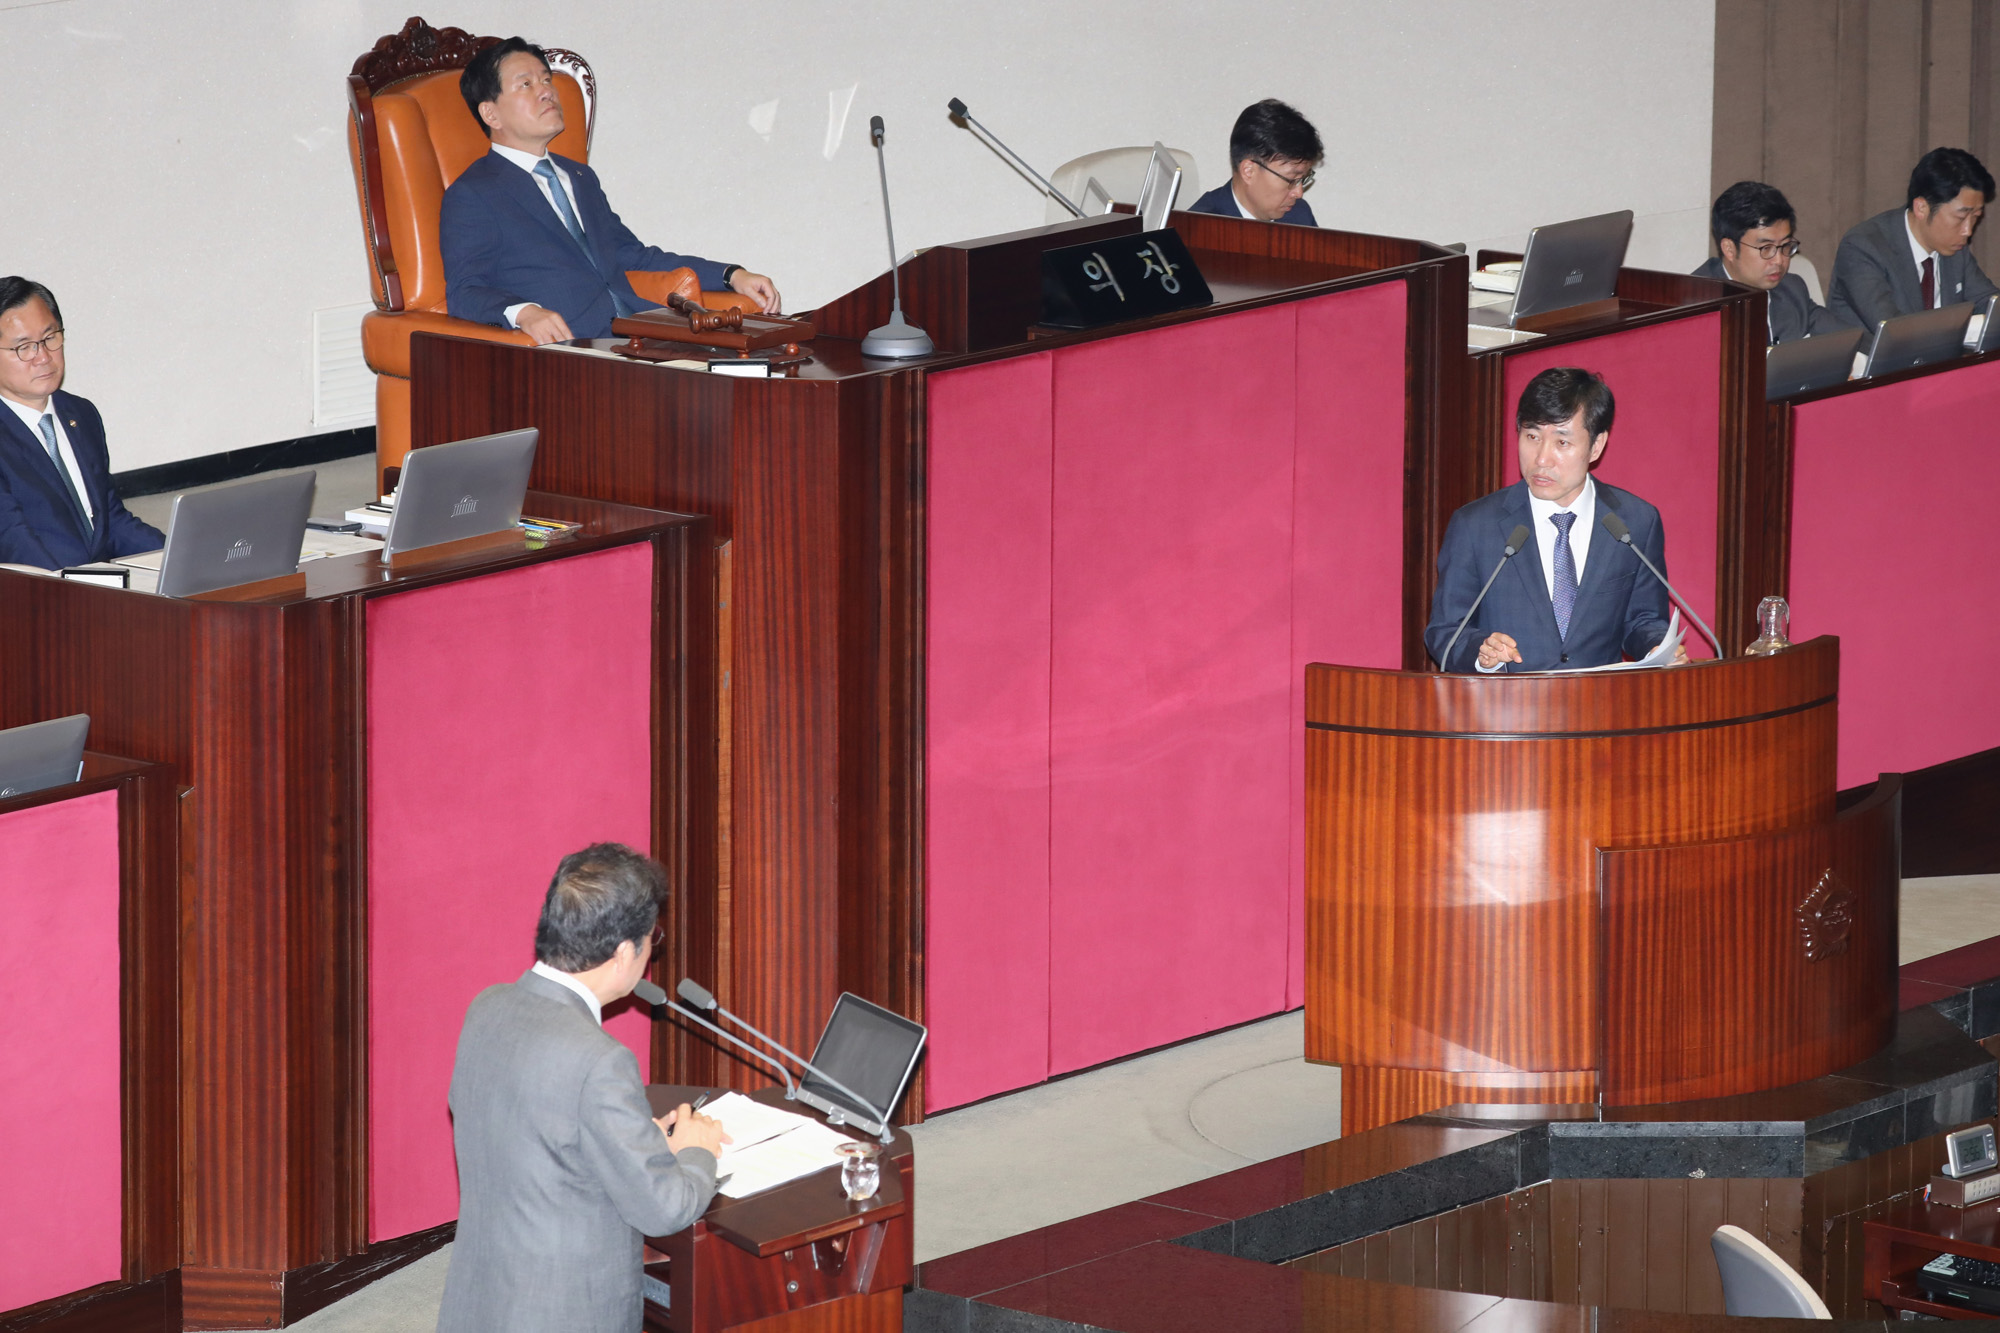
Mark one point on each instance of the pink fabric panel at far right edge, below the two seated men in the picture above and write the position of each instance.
(1875, 559)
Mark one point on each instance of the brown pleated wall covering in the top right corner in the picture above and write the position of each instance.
(1835, 101)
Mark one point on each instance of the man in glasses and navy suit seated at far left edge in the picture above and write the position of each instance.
(57, 499)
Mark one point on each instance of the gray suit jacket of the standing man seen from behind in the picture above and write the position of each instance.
(561, 1170)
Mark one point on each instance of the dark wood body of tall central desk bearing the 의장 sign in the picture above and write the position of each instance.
(815, 483)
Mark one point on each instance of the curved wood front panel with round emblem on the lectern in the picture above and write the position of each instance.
(1751, 964)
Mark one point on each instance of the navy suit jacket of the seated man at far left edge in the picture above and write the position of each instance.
(37, 519)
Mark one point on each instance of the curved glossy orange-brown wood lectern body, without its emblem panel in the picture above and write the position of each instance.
(1453, 916)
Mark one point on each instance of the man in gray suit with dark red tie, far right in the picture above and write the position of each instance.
(1915, 259)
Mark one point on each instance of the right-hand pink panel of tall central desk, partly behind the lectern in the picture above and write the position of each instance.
(1347, 527)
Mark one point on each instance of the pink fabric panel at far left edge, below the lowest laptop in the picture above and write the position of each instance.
(61, 1148)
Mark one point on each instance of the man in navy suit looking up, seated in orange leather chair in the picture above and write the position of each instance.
(529, 237)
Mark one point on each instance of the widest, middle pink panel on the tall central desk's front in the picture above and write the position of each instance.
(1171, 684)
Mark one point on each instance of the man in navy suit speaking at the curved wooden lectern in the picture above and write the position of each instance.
(1573, 597)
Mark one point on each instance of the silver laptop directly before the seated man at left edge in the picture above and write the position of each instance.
(237, 533)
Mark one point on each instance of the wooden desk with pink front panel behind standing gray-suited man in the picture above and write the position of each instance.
(383, 766)
